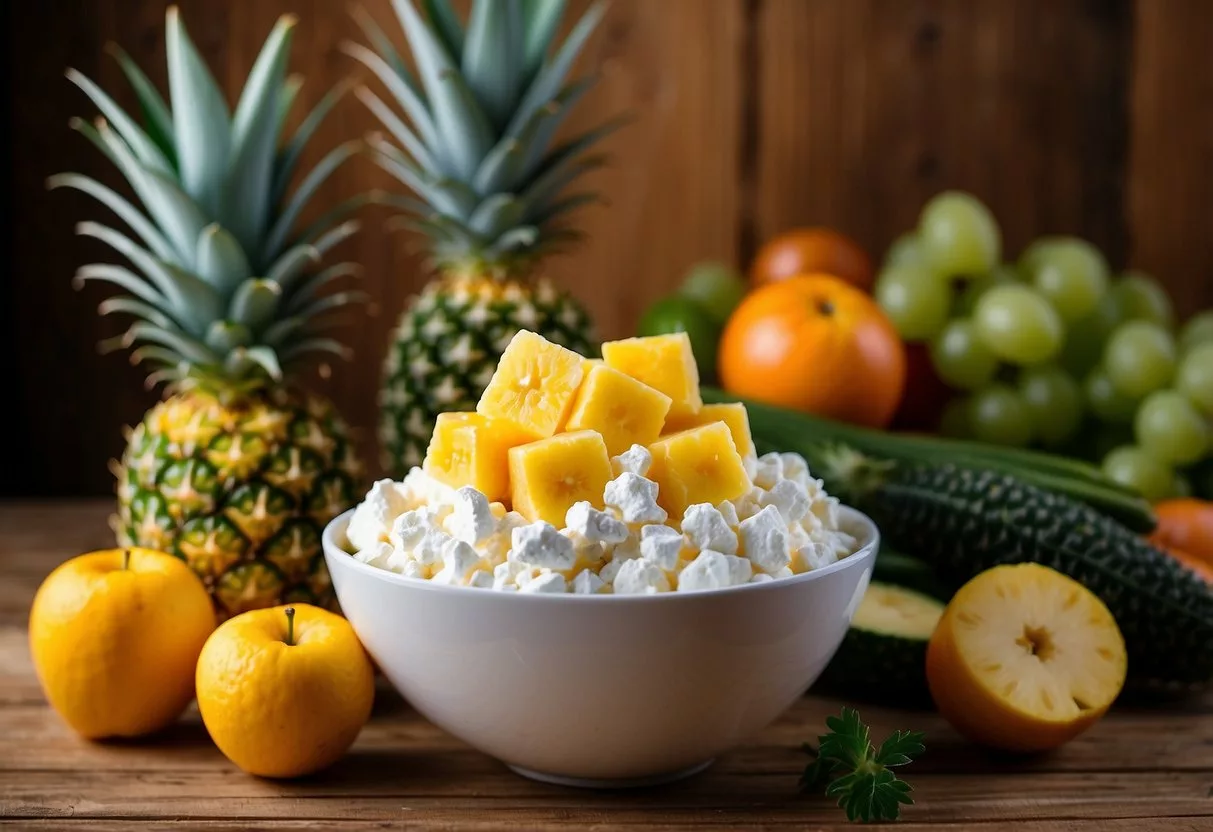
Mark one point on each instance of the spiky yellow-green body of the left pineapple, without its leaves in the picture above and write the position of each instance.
(240, 492)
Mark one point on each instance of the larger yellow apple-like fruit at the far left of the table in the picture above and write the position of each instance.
(116, 636)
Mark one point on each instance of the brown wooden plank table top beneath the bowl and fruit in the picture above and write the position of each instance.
(1142, 768)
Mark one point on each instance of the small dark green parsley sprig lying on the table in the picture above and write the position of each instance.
(858, 774)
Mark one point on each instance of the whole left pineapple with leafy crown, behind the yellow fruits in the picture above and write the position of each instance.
(235, 471)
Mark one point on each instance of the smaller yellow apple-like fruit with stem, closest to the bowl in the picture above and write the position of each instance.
(286, 691)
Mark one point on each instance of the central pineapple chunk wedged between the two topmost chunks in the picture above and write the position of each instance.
(624, 411)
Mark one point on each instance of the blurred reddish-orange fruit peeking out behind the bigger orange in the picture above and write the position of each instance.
(808, 252)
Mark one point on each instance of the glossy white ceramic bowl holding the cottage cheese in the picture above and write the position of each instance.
(602, 691)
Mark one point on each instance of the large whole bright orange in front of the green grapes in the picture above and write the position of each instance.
(819, 345)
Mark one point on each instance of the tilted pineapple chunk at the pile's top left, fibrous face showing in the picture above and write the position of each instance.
(534, 385)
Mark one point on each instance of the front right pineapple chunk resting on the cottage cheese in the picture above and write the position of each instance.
(701, 465)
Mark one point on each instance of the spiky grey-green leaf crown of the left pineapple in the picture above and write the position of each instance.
(224, 290)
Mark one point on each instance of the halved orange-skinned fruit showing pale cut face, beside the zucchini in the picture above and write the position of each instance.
(1026, 659)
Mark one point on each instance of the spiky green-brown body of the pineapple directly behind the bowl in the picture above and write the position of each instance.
(447, 346)
